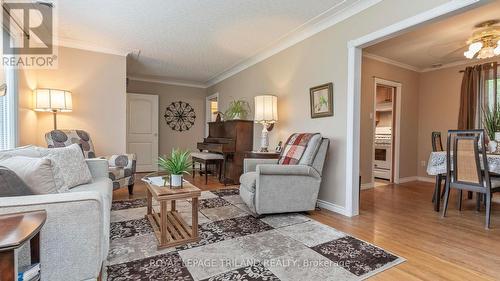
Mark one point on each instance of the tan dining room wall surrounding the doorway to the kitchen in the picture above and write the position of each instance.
(409, 115)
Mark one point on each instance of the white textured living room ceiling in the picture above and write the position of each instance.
(190, 40)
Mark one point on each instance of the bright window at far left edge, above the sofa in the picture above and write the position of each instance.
(8, 109)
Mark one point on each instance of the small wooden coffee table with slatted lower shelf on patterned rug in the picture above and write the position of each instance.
(169, 227)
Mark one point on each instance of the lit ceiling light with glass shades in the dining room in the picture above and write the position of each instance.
(485, 42)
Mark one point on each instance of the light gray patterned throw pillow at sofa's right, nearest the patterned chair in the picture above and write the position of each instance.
(69, 165)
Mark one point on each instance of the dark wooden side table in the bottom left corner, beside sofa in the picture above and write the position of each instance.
(16, 230)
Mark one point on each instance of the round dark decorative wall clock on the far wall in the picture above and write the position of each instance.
(180, 116)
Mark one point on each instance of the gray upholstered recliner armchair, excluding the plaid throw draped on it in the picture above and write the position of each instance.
(268, 187)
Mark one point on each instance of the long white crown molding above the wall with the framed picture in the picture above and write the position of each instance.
(308, 29)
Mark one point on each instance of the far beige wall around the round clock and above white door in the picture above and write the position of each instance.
(169, 138)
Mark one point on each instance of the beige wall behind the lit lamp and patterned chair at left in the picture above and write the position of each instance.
(97, 82)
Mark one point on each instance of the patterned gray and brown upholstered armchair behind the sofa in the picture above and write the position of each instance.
(121, 168)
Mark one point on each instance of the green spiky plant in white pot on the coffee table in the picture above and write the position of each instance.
(176, 165)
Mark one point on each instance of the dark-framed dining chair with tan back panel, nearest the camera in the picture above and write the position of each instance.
(464, 160)
